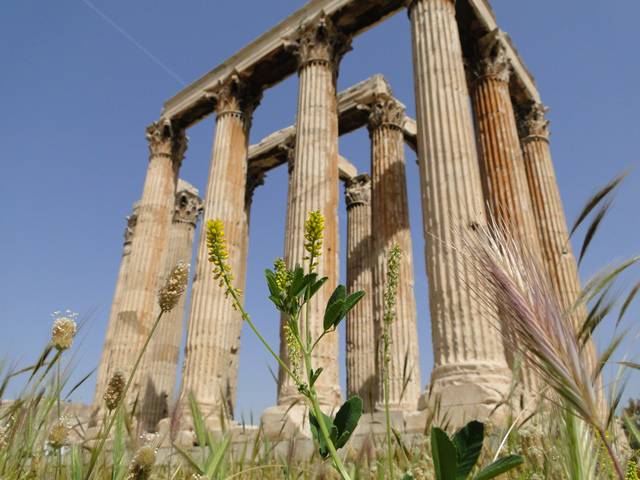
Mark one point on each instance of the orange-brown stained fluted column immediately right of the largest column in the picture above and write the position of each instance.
(501, 162)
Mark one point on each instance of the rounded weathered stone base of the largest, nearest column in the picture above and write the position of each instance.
(464, 392)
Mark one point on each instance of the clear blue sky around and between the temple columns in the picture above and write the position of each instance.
(77, 95)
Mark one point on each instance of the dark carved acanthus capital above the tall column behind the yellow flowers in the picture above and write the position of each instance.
(319, 41)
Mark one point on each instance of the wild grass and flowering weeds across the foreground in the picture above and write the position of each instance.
(571, 436)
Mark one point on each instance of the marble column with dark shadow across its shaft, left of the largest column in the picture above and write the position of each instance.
(391, 226)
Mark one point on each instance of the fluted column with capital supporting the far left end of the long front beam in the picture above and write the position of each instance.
(139, 305)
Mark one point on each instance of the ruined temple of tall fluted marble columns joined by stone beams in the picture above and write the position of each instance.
(483, 151)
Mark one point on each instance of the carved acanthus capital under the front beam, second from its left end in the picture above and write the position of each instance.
(235, 95)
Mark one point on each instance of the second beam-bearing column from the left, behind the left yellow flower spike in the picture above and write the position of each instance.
(214, 326)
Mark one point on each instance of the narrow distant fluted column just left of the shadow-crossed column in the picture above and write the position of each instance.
(360, 329)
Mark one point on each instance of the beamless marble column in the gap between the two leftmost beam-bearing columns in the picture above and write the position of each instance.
(161, 365)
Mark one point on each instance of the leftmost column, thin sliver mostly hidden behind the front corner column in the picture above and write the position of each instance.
(112, 333)
